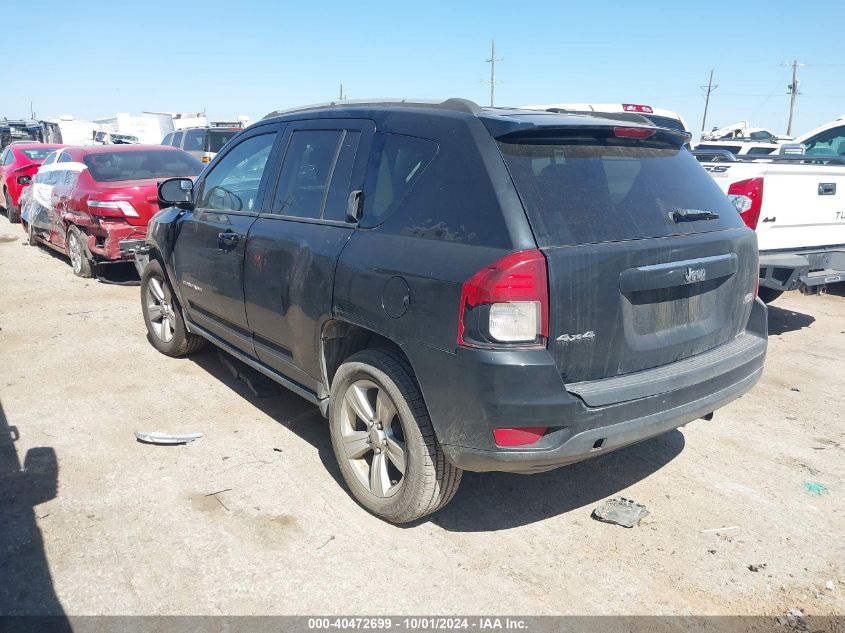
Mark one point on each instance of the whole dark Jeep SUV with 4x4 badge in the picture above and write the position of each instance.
(462, 288)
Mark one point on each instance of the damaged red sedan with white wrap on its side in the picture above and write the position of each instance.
(94, 203)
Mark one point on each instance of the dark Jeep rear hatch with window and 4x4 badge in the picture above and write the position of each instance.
(648, 261)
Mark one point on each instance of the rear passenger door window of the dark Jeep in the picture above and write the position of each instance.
(304, 180)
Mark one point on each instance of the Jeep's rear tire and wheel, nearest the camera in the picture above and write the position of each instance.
(384, 441)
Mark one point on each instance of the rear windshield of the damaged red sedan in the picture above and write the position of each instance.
(141, 165)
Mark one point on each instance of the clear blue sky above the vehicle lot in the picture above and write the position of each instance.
(98, 57)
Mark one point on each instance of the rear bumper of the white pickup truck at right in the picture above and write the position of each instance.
(806, 270)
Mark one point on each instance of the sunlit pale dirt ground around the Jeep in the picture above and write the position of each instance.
(93, 522)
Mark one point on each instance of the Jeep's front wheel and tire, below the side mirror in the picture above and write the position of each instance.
(163, 315)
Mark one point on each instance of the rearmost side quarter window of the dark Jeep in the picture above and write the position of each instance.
(397, 163)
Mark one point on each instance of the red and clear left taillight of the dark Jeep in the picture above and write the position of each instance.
(515, 291)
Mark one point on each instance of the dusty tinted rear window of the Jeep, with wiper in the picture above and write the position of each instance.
(599, 190)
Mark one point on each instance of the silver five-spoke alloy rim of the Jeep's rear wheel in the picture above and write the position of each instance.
(373, 439)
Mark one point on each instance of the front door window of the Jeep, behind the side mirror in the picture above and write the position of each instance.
(234, 182)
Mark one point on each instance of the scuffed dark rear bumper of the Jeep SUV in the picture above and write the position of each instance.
(505, 391)
